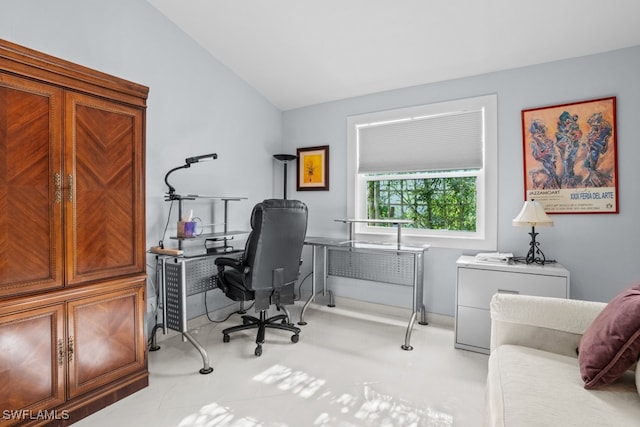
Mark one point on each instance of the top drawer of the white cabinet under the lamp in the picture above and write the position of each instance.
(476, 287)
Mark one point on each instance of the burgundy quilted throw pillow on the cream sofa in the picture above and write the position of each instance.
(611, 344)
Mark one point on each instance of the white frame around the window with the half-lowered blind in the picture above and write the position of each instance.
(485, 236)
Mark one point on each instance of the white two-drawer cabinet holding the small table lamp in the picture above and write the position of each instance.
(478, 281)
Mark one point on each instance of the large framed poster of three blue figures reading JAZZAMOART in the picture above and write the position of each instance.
(570, 156)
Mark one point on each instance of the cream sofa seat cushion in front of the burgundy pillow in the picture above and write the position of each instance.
(529, 387)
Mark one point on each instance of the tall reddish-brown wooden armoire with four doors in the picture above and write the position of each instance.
(72, 239)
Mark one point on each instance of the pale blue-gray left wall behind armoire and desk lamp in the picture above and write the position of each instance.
(195, 105)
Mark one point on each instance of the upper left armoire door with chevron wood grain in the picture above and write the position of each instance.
(30, 186)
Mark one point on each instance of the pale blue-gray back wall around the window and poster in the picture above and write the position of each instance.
(600, 251)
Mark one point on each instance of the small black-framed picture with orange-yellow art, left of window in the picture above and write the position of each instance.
(313, 168)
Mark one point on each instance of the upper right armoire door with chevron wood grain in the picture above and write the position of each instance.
(104, 183)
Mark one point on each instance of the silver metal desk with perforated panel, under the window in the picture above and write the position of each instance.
(388, 263)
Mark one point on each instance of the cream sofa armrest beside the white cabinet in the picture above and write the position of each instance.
(551, 324)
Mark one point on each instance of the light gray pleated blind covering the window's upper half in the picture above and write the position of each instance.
(443, 142)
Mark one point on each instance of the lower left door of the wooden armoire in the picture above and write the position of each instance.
(32, 365)
